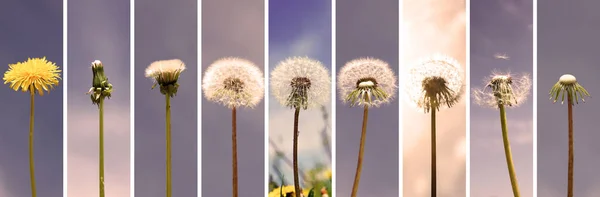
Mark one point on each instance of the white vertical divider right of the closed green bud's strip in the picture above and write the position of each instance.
(132, 98)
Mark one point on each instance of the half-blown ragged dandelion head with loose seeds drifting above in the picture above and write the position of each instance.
(503, 89)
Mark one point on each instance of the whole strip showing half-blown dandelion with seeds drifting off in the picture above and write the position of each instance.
(501, 70)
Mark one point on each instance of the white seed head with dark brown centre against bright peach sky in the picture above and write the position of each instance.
(434, 82)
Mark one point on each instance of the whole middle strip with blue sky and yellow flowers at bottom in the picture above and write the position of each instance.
(300, 97)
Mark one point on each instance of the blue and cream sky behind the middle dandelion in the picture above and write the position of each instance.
(299, 28)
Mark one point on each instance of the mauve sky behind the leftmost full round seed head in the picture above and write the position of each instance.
(240, 35)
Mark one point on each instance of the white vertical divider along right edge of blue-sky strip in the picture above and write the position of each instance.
(333, 99)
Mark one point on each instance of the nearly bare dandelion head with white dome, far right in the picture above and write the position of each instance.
(567, 86)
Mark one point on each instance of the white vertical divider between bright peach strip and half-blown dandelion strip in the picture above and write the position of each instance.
(468, 98)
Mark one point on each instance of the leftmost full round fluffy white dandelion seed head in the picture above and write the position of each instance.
(233, 82)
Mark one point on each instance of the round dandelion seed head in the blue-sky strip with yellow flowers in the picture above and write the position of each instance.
(301, 82)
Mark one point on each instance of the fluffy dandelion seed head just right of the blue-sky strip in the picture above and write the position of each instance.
(366, 82)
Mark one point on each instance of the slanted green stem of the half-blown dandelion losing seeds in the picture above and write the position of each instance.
(508, 153)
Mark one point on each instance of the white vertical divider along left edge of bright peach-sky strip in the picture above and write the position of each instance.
(400, 133)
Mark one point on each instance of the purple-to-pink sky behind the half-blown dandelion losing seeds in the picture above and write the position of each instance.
(501, 26)
